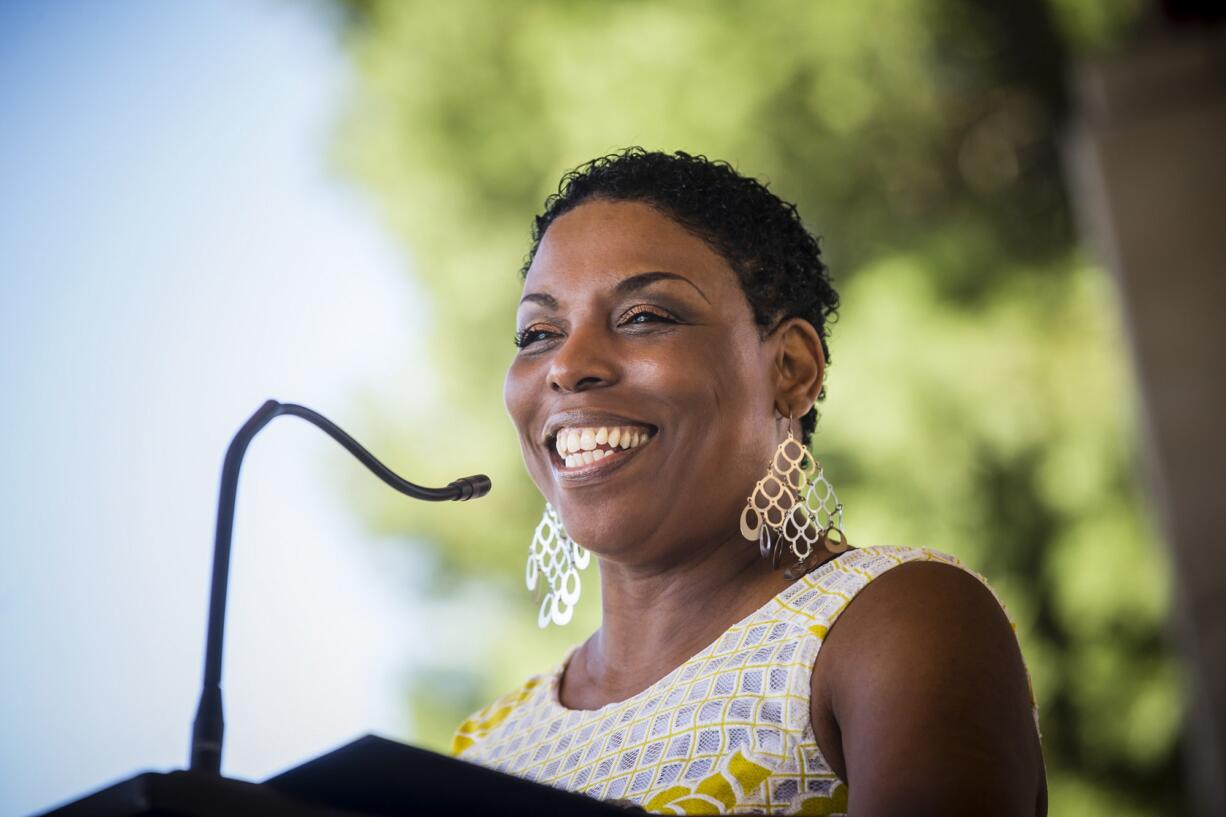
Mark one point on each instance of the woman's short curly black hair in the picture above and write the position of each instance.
(777, 259)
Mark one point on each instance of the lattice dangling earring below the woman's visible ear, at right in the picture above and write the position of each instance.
(794, 508)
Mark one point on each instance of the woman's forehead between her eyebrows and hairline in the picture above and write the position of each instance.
(600, 244)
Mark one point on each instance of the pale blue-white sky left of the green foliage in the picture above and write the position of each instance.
(175, 250)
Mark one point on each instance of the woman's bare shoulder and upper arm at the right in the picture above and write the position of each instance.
(921, 700)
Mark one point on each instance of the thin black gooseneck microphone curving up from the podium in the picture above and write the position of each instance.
(209, 727)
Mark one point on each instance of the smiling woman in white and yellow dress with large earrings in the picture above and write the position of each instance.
(672, 347)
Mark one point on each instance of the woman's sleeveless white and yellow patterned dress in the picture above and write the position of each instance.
(728, 732)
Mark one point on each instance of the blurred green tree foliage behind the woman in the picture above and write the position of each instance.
(979, 399)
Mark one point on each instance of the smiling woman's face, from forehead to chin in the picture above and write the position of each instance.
(644, 396)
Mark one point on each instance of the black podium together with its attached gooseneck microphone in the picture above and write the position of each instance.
(370, 777)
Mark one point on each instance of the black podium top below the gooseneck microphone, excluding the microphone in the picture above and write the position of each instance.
(372, 777)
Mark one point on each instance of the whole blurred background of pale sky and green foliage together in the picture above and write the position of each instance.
(329, 203)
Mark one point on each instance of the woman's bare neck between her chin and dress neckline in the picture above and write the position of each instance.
(654, 619)
